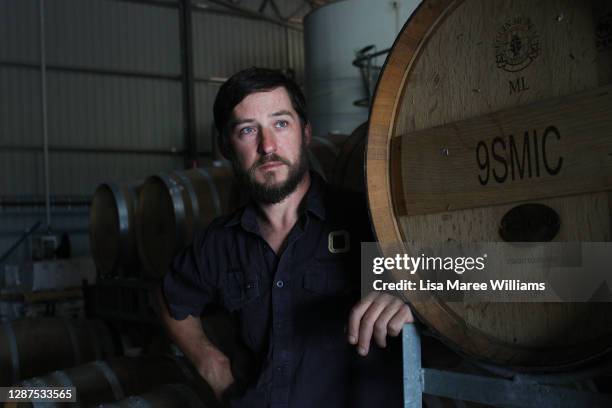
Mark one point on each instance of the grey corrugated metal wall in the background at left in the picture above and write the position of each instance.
(114, 83)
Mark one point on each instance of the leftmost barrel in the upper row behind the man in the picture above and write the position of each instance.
(112, 228)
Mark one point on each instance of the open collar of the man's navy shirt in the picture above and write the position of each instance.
(312, 202)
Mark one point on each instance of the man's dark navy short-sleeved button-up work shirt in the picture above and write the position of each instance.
(292, 309)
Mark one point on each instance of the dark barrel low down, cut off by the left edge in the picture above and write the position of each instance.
(30, 347)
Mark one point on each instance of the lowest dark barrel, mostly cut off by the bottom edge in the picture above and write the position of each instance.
(167, 396)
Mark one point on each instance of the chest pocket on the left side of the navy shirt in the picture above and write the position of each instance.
(239, 288)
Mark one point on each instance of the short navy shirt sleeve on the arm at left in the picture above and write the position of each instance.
(188, 285)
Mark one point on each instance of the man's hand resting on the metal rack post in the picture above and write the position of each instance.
(380, 314)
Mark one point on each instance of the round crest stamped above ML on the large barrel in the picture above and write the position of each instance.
(517, 44)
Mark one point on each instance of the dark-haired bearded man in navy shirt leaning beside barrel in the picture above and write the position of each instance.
(286, 266)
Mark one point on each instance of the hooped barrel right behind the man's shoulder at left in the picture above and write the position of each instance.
(173, 205)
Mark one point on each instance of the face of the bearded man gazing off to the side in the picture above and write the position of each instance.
(269, 144)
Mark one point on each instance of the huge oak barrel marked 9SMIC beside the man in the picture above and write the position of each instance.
(482, 106)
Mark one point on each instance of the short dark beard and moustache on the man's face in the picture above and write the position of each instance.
(273, 194)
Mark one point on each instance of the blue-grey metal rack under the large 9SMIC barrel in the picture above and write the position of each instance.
(519, 390)
